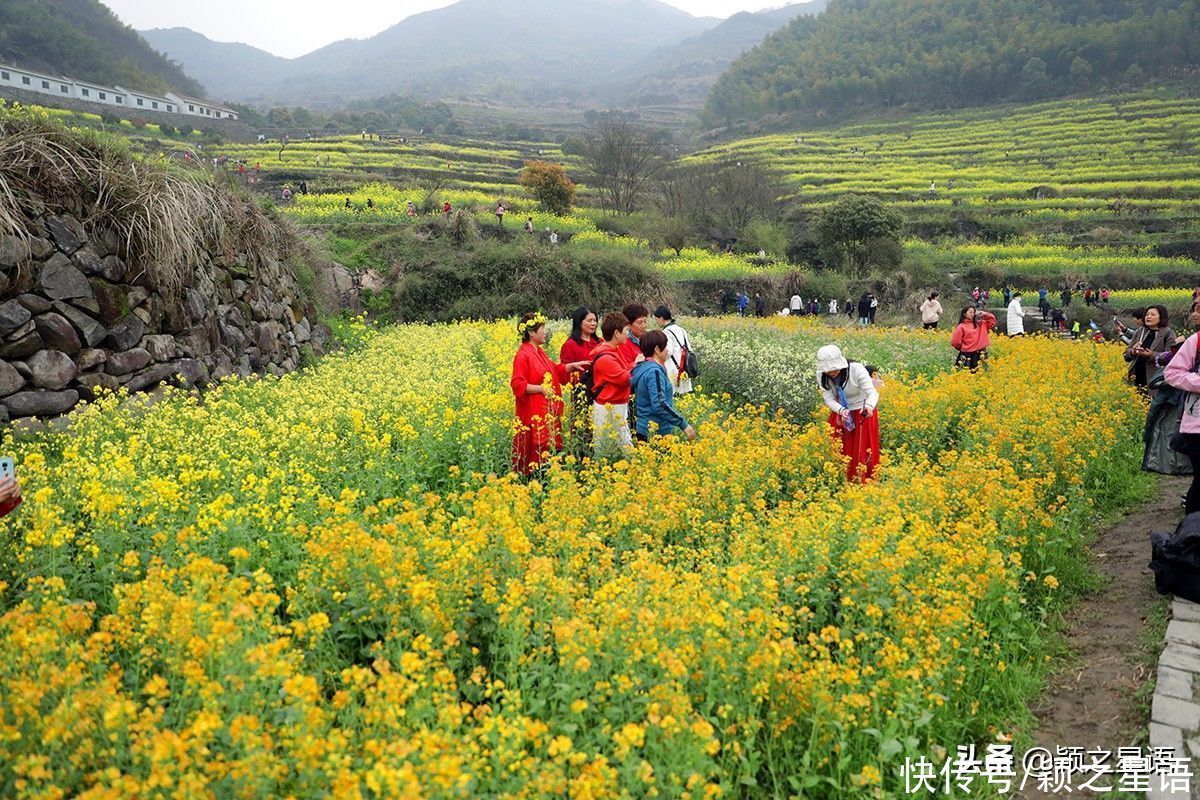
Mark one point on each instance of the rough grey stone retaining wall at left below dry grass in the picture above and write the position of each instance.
(76, 317)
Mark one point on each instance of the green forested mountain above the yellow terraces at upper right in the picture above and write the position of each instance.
(863, 55)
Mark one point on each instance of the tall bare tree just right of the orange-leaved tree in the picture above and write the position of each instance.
(625, 160)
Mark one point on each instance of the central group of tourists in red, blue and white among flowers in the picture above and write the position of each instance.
(620, 377)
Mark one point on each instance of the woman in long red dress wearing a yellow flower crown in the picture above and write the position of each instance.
(538, 388)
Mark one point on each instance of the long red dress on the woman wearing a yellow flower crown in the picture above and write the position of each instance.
(538, 416)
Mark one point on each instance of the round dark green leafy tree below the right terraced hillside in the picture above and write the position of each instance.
(854, 228)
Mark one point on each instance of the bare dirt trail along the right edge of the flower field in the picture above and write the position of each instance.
(1091, 701)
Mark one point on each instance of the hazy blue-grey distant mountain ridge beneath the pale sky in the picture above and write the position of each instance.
(531, 51)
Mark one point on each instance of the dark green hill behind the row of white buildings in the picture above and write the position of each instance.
(85, 40)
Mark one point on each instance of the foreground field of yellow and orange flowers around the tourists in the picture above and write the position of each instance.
(326, 585)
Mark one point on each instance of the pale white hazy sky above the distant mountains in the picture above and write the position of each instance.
(292, 28)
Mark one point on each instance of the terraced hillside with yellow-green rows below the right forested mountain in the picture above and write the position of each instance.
(1121, 171)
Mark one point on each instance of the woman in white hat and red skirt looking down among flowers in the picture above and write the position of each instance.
(853, 399)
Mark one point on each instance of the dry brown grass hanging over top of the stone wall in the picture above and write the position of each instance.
(167, 219)
